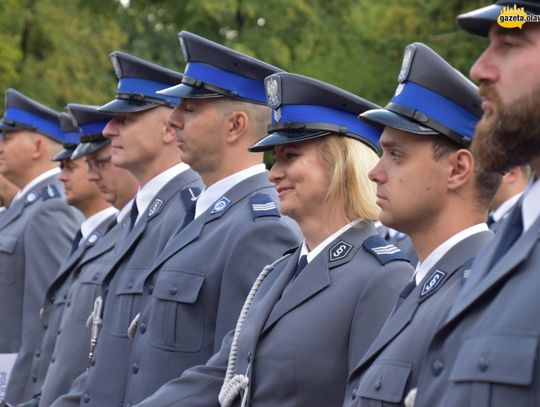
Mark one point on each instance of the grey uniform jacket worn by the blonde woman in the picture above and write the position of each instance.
(301, 338)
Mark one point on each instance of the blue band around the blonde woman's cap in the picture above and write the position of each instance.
(323, 114)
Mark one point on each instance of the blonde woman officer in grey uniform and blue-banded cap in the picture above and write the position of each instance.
(291, 344)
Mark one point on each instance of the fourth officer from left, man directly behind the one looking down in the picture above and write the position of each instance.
(142, 143)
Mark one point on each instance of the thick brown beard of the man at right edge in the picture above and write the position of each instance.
(507, 136)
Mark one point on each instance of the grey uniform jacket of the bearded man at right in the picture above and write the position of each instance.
(486, 352)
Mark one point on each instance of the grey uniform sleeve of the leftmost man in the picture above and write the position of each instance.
(47, 239)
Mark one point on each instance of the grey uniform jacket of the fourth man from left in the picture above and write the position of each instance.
(133, 258)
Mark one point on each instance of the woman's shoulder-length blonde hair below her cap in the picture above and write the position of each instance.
(349, 162)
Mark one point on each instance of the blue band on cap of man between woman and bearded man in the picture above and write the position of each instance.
(437, 107)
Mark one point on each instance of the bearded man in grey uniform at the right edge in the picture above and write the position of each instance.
(486, 351)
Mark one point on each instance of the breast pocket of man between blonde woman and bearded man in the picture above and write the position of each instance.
(384, 382)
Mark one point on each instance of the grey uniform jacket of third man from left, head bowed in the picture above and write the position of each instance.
(72, 344)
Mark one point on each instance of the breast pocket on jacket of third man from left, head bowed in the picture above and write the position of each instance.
(86, 289)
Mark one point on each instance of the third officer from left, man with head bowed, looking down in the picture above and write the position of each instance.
(118, 186)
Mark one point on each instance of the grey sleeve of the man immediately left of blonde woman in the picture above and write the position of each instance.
(257, 245)
